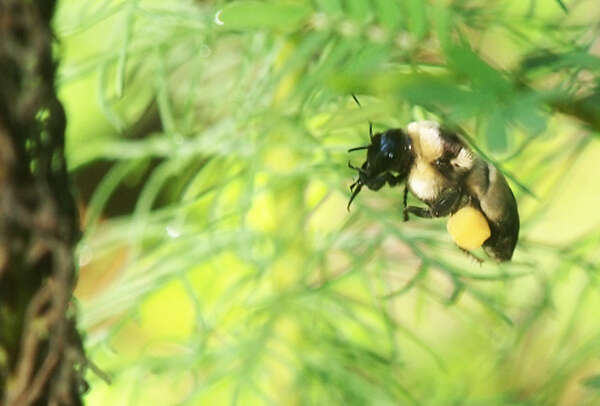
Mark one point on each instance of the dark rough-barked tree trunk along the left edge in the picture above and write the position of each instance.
(40, 350)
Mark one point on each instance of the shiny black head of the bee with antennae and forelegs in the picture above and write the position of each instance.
(389, 156)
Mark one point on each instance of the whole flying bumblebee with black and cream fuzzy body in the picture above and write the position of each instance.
(441, 171)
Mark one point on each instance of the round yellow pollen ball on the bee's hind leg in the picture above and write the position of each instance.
(469, 228)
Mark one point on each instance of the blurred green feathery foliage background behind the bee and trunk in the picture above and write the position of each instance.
(219, 266)
